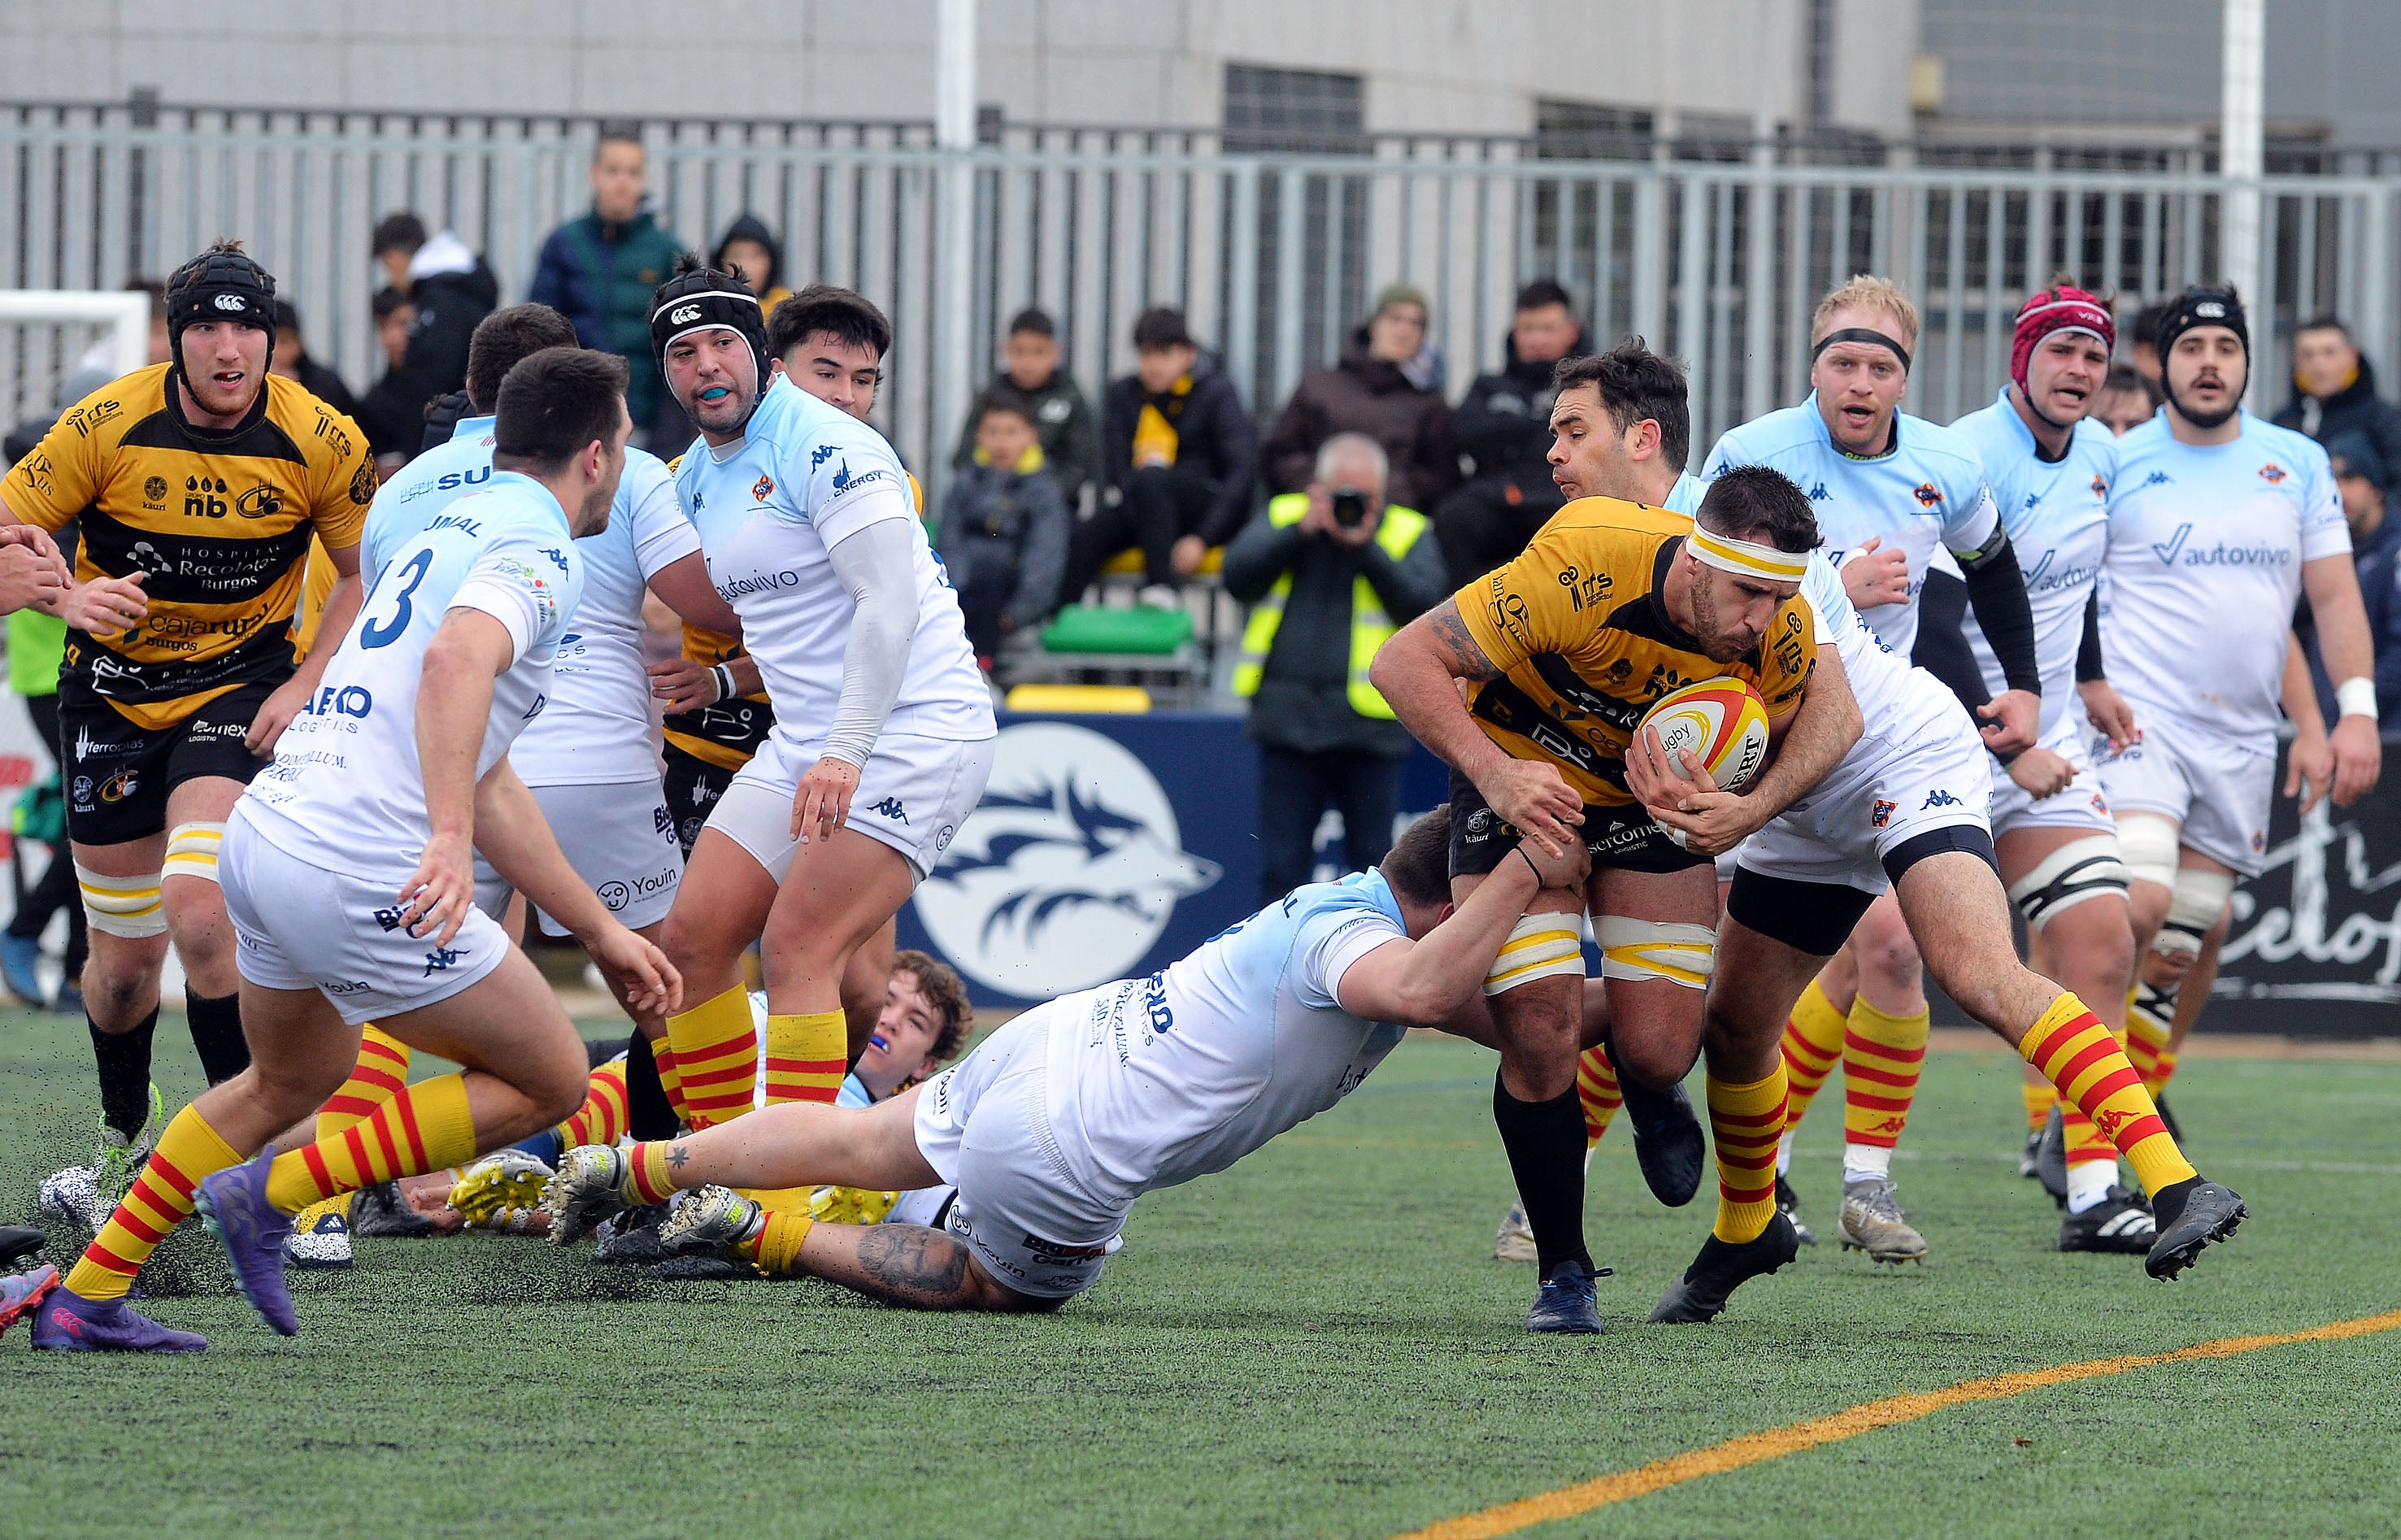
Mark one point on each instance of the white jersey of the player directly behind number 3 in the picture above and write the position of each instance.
(597, 729)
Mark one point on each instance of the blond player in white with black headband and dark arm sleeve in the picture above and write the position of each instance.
(1893, 496)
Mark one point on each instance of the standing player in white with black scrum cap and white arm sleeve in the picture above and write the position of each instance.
(882, 732)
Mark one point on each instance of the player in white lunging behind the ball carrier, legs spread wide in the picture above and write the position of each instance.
(1903, 811)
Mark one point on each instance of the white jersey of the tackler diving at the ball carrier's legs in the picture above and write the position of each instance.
(1170, 1078)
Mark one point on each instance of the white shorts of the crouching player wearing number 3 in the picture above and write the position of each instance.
(304, 929)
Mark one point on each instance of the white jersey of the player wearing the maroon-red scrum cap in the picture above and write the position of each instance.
(2056, 515)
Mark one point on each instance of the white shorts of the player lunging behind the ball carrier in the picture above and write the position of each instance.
(1936, 777)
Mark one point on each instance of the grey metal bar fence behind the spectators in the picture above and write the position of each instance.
(1274, 256)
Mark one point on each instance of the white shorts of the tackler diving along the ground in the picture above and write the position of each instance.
(986, 1130)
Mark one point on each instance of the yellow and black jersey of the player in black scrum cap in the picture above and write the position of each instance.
(220, 525)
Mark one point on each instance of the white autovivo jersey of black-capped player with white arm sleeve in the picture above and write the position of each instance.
(803, 479)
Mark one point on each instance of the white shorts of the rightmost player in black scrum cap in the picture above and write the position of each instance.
(2217, 789)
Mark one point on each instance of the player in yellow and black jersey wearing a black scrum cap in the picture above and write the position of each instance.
(200, 487)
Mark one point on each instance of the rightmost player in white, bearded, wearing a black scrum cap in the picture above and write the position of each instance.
(2217, 525)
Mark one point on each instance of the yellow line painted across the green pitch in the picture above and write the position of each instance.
(1773, 1445)
